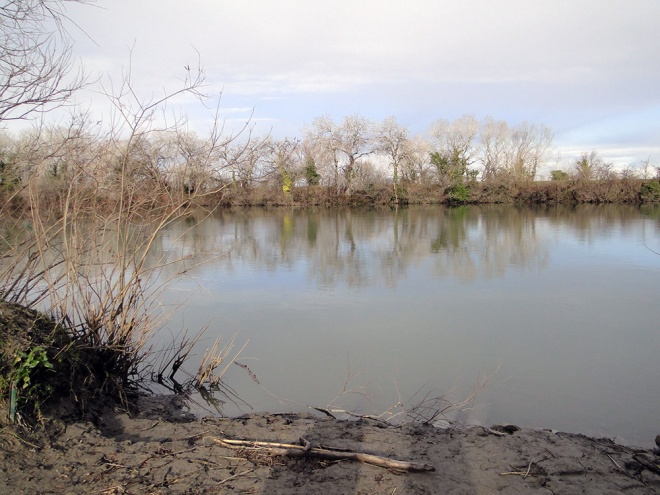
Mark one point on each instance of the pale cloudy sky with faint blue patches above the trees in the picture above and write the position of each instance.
(588, 69)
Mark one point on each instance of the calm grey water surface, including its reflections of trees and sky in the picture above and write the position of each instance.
(558, 308)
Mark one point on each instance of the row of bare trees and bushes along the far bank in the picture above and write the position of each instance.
(341, 158)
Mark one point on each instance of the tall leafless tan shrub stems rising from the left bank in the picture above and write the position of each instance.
(82, 248)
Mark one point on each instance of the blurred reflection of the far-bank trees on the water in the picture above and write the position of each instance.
(365, 247)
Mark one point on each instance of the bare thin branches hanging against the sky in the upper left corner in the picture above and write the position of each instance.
(37, 70)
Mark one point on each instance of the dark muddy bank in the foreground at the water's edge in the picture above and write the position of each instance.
(162, 450)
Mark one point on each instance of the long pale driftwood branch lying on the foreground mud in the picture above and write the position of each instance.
(291, 450)
